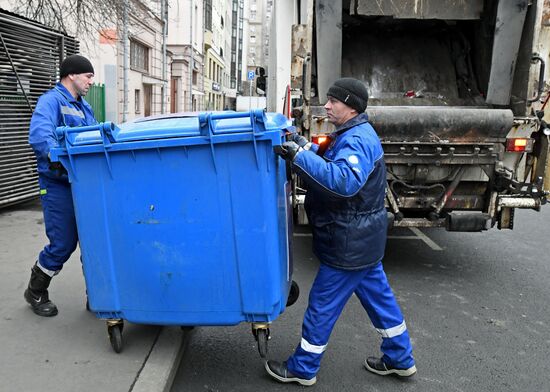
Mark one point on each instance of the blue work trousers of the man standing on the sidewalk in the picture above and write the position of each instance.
(60, 222)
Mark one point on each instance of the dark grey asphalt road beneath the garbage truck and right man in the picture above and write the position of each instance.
(475, 305)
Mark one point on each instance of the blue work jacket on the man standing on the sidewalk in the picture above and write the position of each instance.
(56, 107)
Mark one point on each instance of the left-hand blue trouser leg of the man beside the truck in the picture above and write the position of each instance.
(328, 296)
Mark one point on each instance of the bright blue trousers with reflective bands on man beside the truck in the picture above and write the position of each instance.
(329, 294)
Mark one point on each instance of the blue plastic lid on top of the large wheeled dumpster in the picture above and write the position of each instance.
(184, 125)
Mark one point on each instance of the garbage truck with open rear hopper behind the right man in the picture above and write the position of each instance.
(456, 95)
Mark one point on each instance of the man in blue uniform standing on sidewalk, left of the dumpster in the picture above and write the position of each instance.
(62, 105)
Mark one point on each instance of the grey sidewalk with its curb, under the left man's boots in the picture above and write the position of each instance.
(71, 351)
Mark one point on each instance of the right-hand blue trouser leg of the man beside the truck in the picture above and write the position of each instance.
(377, 298)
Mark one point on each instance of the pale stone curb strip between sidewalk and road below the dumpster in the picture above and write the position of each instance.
(162, 363)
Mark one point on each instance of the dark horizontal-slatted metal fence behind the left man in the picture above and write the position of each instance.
(30, 54)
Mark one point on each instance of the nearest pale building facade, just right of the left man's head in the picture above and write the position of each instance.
(135, 84)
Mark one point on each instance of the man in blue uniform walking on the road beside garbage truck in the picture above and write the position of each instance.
(346, 183)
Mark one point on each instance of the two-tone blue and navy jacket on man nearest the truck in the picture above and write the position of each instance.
(346, 188)
